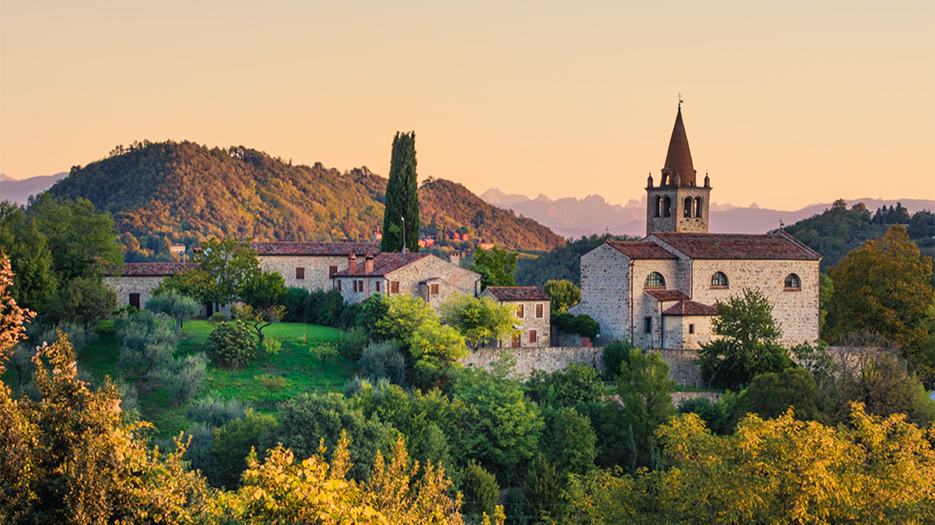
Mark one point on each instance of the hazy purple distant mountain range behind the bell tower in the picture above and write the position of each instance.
(571, 217)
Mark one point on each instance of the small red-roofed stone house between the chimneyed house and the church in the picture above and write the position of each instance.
(532, 312)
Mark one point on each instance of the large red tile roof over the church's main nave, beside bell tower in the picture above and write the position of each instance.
(771, 246)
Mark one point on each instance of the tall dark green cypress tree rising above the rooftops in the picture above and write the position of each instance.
(402, 197)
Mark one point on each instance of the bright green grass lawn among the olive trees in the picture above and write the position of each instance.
(298, 369)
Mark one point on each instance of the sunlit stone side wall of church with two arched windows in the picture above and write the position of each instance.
(796, 312)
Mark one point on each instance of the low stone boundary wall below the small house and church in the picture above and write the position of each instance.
(682, 368)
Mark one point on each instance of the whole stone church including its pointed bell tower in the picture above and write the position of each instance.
(660, 292)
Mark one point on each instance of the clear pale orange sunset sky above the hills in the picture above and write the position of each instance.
(785, 103)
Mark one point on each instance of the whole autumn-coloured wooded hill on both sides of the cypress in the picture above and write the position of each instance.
(168, 192)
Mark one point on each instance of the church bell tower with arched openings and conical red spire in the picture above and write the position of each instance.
(677, 205)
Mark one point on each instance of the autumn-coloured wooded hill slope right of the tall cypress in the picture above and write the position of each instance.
(446, 205)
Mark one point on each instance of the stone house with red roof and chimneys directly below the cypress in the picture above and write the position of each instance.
(417, 274)
